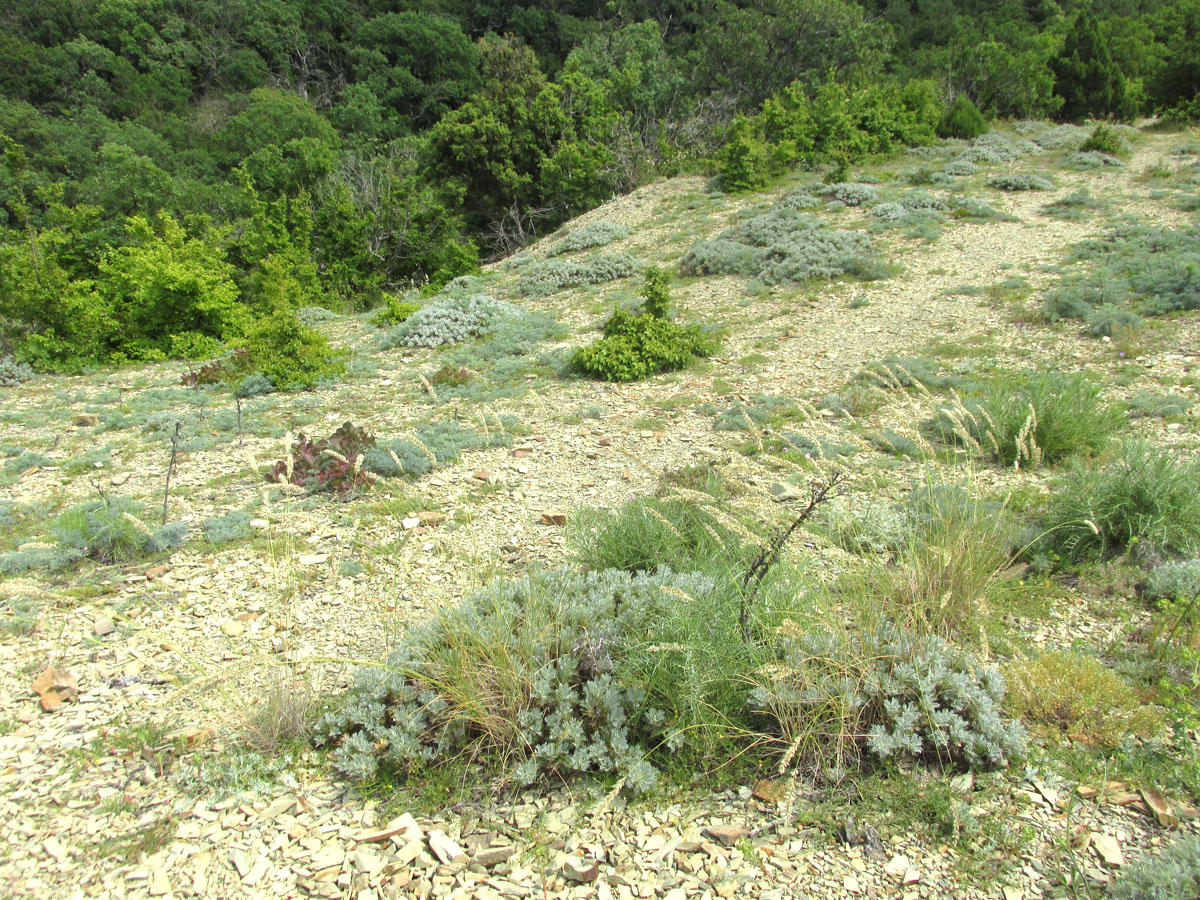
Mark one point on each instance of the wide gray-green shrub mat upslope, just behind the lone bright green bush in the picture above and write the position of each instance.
(785, 247)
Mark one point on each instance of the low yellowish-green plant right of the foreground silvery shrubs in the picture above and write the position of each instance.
(1072, 695)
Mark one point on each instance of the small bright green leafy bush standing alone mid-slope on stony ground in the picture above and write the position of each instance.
(635, 347)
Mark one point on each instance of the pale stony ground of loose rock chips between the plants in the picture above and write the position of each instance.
(133, 787)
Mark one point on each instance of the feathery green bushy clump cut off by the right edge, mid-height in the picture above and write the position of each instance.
(1143, 495)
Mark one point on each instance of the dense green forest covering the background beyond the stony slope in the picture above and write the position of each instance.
(177, 172)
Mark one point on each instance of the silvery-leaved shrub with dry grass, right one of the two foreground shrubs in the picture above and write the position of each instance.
(890, 694)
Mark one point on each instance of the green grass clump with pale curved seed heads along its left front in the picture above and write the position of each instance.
(1031, 419)
